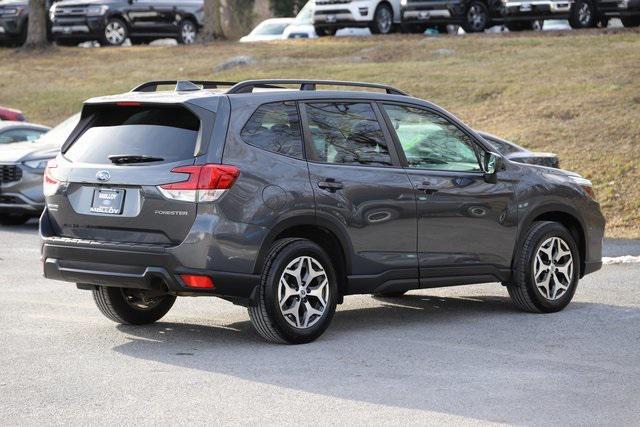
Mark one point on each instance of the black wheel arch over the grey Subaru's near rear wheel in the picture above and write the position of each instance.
(322, 232)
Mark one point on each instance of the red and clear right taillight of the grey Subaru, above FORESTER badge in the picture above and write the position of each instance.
(206, 183)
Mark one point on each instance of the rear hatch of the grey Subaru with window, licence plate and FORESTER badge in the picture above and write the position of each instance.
(108, 183)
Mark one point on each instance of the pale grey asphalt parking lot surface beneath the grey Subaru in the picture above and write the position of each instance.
(460, 355)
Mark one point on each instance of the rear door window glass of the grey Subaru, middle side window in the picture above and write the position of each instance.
(347, 133)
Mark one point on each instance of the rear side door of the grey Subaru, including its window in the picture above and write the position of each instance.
(360, 188)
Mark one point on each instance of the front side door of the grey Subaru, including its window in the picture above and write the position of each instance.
(466, 225)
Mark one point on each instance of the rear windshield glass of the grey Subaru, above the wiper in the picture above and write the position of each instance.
(165, 133)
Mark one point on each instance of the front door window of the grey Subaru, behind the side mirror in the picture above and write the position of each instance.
(430, 141)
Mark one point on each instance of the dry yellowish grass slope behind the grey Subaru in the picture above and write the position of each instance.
(575, 94)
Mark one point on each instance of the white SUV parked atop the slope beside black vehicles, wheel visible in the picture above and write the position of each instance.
(380, 16)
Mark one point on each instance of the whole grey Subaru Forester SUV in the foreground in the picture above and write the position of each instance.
(285, 199)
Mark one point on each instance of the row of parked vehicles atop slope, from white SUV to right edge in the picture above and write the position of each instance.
(384, 16)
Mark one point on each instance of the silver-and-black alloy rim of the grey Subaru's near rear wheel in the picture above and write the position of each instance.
(303, 292)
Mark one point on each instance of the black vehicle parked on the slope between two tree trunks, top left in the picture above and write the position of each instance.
(111, 22)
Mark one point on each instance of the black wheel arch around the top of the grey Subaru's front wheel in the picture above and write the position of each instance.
(565, 216)
